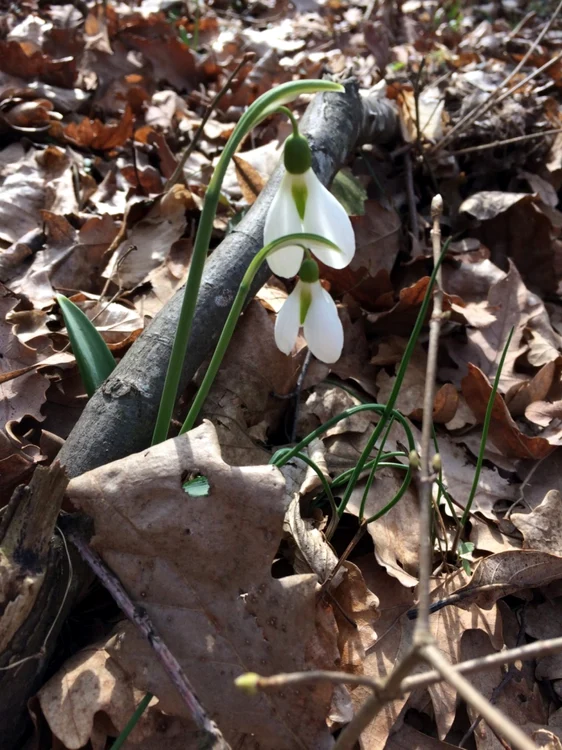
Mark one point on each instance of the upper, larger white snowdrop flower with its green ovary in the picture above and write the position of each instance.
(303, 204)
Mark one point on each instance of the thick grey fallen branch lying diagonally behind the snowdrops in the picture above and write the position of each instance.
(119, 418)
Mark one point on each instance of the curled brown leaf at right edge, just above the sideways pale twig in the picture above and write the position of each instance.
(508, 573)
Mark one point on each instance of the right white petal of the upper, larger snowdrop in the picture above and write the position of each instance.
(326, 216)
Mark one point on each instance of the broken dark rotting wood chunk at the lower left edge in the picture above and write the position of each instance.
(34, 594)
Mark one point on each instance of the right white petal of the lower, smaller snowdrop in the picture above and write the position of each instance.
(323, 330)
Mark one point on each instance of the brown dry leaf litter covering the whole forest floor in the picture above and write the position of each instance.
(97, 104)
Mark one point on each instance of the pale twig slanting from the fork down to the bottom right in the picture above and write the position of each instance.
(497, 721)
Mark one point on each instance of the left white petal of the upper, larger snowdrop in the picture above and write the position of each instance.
(282, 219)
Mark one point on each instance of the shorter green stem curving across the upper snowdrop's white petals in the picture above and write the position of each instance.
(234, 314)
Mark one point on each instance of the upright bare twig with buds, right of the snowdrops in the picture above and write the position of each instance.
(427, 471)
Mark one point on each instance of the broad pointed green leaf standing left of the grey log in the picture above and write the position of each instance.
(93, 357)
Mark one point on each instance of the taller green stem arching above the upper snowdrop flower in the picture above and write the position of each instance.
(259, 110)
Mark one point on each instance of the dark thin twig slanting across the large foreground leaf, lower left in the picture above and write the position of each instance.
(139, 618)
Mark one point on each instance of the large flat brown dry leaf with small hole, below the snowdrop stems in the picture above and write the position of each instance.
(200, 567)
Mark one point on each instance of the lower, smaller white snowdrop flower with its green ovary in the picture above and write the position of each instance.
(309, 305)
